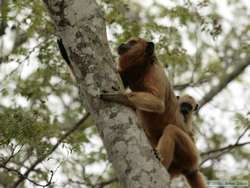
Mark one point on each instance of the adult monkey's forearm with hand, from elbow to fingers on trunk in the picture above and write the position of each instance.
(140, 100)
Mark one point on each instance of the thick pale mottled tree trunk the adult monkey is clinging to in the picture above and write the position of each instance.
(81, 25)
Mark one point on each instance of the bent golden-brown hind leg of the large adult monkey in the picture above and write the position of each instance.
(173, 142)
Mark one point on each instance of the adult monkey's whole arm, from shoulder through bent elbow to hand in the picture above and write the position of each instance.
(152, 99)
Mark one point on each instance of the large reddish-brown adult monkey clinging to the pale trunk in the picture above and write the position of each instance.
(157, 108)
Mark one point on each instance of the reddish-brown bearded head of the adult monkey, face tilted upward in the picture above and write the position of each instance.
(135, 52)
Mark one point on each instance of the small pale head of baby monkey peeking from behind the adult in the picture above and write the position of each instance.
(187, 104)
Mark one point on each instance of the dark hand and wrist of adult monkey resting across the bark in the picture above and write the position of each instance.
(118, 97)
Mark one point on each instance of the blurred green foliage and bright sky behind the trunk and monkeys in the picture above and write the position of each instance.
(205, 47)
